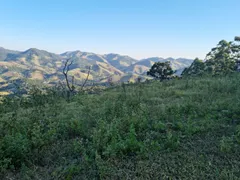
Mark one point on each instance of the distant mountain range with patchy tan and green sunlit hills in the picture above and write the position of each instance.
(35, 64)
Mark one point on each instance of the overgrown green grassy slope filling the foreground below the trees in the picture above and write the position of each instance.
(181, 129)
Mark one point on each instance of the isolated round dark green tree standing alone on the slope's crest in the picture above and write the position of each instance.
(161, 70)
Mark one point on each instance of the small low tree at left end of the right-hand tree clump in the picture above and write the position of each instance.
(197, 68)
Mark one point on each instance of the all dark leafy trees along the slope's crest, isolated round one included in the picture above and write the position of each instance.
(222, 59)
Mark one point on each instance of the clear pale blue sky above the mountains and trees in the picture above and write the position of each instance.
(138, 28)
